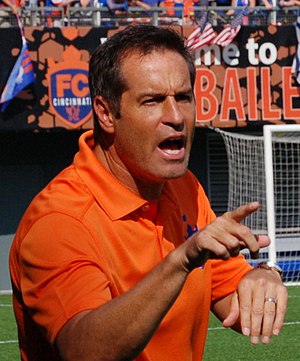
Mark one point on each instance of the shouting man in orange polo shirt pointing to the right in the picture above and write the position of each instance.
(120, 257)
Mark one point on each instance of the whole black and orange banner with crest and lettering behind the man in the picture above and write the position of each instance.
(247, 83)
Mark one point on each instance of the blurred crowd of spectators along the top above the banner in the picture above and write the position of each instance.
(183, 9)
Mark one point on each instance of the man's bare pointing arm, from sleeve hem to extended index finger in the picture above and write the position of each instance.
(121, 328)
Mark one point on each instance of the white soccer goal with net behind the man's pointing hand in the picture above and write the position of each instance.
(266, 168)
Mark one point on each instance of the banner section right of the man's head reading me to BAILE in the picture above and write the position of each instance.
(250, 81)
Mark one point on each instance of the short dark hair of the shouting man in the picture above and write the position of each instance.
(105, 77)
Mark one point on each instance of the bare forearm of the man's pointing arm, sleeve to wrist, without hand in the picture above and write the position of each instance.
(120, 329)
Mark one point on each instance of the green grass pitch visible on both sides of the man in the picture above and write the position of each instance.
(222, 344)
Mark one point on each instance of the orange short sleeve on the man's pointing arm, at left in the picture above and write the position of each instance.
(62, 272)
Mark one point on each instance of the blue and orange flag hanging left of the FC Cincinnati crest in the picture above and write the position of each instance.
(20, 77)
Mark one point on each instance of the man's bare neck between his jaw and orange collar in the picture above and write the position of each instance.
(110, 160)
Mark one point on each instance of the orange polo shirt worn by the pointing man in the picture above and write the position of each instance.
(86, 239)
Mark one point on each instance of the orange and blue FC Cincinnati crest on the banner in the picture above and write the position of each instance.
(69, 94)
